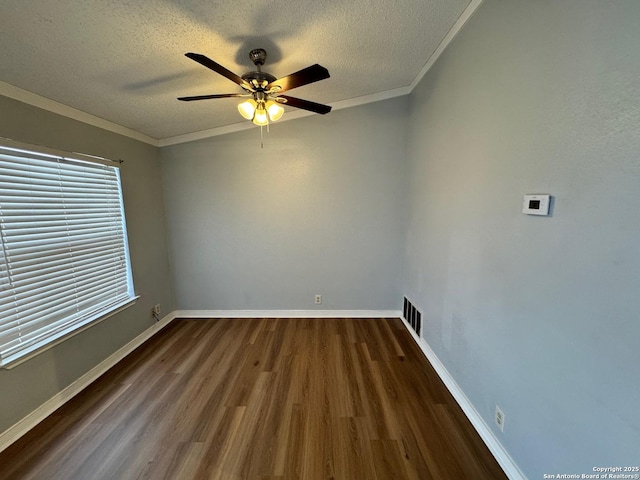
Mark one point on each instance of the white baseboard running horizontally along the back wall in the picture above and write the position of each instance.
(288, 314)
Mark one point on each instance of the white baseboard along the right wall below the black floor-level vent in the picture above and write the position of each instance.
(493, 444)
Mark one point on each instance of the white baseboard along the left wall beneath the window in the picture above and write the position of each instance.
(43, 411)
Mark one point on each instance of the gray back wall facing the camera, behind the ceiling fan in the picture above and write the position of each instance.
(318, 210)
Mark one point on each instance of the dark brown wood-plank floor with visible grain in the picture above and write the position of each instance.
(308, 399)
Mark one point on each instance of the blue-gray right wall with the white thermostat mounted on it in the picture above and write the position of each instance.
(538, 315)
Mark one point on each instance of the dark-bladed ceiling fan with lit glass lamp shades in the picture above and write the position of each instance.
(263, 89)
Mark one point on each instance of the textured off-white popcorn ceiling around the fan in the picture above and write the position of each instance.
(123, 60)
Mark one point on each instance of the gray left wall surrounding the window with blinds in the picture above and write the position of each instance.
(32, 383)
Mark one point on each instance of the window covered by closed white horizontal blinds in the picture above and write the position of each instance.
(64, 260)
